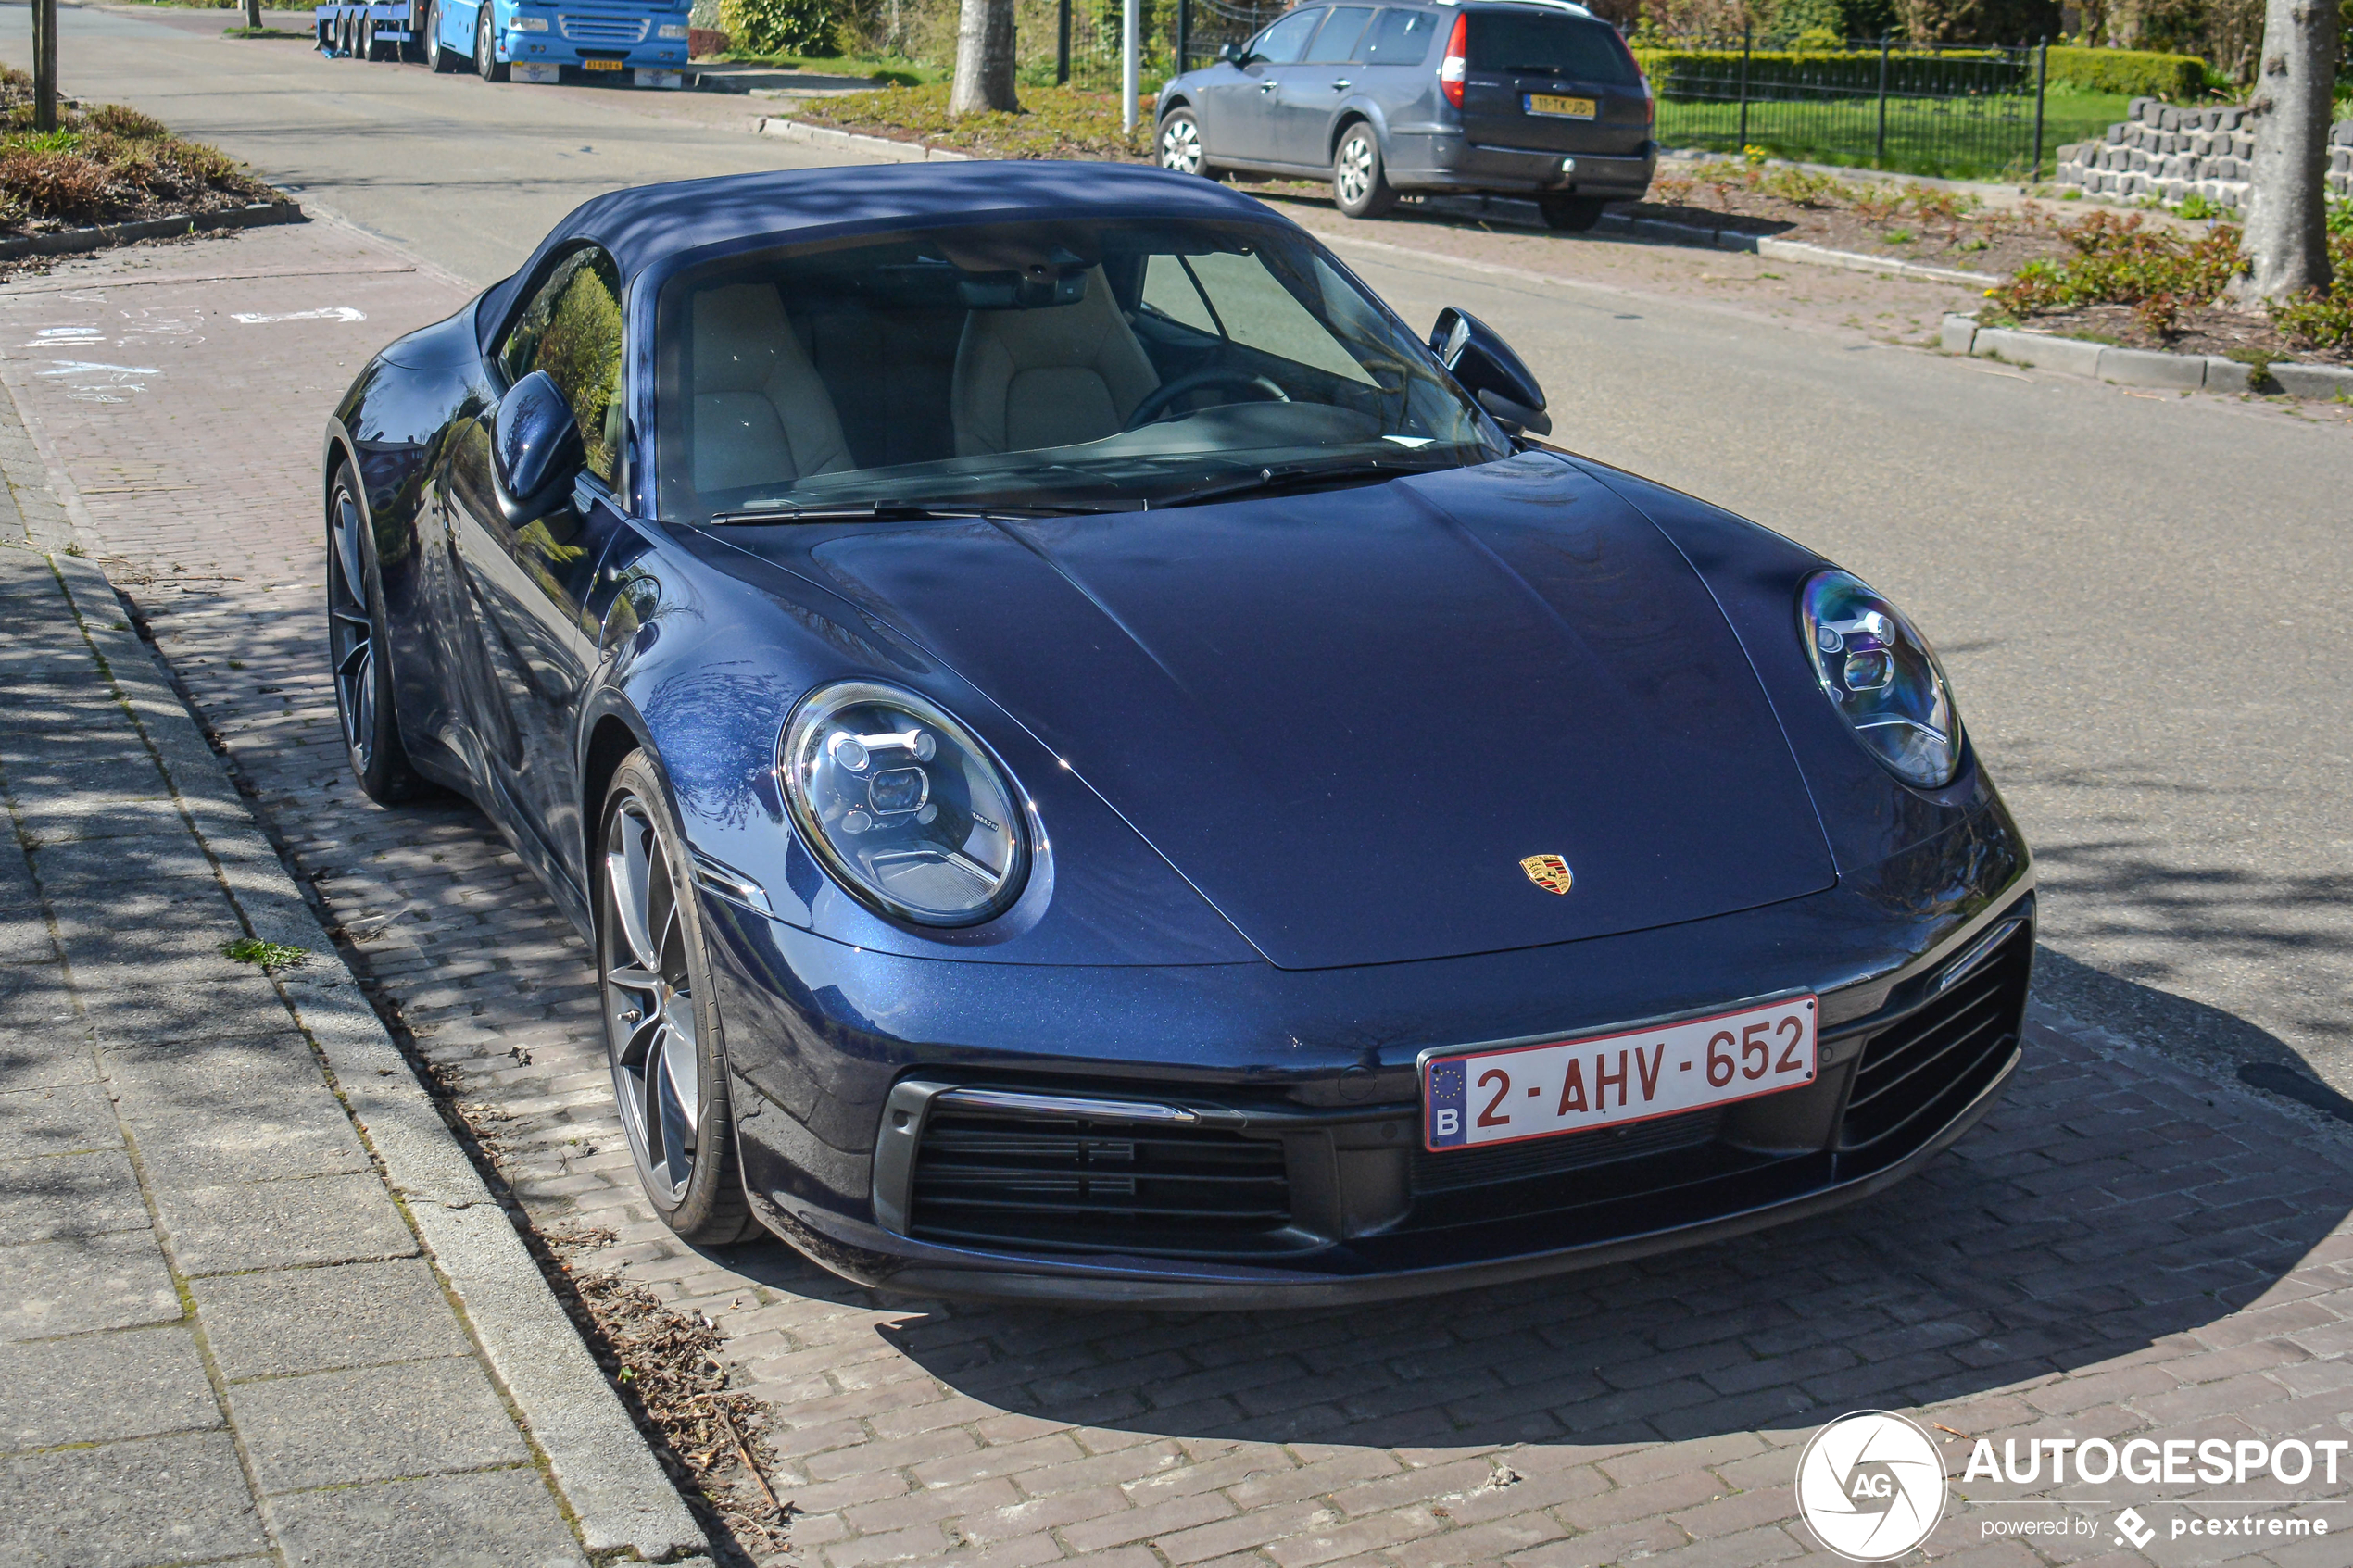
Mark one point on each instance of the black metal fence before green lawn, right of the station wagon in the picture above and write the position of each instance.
(1961, 109)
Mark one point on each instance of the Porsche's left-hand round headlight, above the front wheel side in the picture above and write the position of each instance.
(902, 805)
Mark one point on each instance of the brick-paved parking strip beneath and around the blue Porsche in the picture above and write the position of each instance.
(2121, 1252)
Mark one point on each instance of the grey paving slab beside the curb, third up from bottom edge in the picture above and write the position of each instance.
(314, 1320)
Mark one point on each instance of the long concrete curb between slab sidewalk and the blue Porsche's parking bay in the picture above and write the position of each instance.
(618, 1494)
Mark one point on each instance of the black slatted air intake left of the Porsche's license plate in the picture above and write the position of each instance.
(1053, 1184)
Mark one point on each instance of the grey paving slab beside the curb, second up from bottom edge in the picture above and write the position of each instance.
(373, 1426)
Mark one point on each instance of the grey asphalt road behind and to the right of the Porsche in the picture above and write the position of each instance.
(2140, 598)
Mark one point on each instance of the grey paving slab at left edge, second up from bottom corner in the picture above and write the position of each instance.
(105, 1388)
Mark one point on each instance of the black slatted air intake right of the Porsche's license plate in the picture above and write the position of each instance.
(1921, 1071)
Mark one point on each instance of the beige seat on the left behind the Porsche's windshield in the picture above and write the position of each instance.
(761, 413)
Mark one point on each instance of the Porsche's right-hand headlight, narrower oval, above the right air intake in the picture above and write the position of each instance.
(1879, 671)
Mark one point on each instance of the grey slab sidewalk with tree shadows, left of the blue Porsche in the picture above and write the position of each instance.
(225, 1334)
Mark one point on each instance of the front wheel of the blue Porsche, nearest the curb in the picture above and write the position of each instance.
(662, 1021)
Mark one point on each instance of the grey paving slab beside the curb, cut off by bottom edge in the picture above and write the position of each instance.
(486, 1520)
